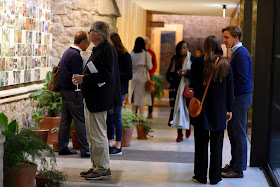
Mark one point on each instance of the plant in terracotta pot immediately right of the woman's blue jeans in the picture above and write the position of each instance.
(128, 121)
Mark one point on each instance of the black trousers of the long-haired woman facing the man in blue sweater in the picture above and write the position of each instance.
(202, 138)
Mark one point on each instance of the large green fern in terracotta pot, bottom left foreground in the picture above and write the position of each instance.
(23, 151)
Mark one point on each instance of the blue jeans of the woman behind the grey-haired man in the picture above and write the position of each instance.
(114, 121)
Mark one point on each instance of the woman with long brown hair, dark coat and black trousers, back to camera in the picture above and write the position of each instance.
(216, 110)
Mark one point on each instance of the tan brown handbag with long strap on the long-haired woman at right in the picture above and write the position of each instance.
(195, 105)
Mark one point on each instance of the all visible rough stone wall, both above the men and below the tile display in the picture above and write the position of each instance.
(69, 17)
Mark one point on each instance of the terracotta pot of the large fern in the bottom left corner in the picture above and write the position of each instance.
(23, 175)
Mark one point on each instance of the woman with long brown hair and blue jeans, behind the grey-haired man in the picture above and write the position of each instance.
(114, 120)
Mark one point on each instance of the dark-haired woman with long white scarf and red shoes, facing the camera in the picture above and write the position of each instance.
(178, 68)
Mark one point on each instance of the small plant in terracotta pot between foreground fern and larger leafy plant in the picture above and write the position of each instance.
(42, 133)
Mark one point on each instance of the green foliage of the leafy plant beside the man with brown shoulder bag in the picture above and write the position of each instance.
(49, 102)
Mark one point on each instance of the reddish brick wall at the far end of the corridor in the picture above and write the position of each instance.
(196, 28)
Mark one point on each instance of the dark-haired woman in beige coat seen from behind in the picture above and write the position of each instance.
(141, 61)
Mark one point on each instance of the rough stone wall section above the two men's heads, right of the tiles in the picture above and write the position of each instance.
(71, 16)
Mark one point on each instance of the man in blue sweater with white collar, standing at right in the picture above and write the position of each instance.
(241, 64)
